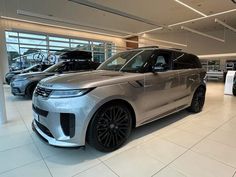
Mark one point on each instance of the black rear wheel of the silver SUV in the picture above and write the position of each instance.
(198, 100)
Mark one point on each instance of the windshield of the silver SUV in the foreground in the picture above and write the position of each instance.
(129, 61)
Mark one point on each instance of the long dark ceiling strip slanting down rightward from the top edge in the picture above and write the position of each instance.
(113, 11)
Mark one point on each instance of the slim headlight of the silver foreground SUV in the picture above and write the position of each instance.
(69, 93)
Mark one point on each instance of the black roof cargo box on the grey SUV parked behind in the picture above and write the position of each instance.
(76, 54)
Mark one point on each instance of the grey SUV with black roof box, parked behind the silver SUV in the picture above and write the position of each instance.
(24, 84)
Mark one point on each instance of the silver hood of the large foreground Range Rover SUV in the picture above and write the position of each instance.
(89, 79)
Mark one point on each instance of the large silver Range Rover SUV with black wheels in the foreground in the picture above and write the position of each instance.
(130, 89)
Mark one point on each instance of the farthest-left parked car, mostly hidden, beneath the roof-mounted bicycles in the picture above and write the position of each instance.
(34, 68)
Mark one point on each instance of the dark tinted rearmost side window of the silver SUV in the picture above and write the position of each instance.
(185, 61)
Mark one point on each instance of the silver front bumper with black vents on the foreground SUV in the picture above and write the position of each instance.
(63, 122)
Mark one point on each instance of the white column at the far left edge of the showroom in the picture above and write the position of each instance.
(3, 54)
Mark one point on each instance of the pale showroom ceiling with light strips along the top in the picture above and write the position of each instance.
(138, 16)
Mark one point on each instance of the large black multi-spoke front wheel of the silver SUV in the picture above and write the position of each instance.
(110, 127)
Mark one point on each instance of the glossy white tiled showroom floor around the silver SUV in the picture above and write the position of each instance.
(180, 145)
